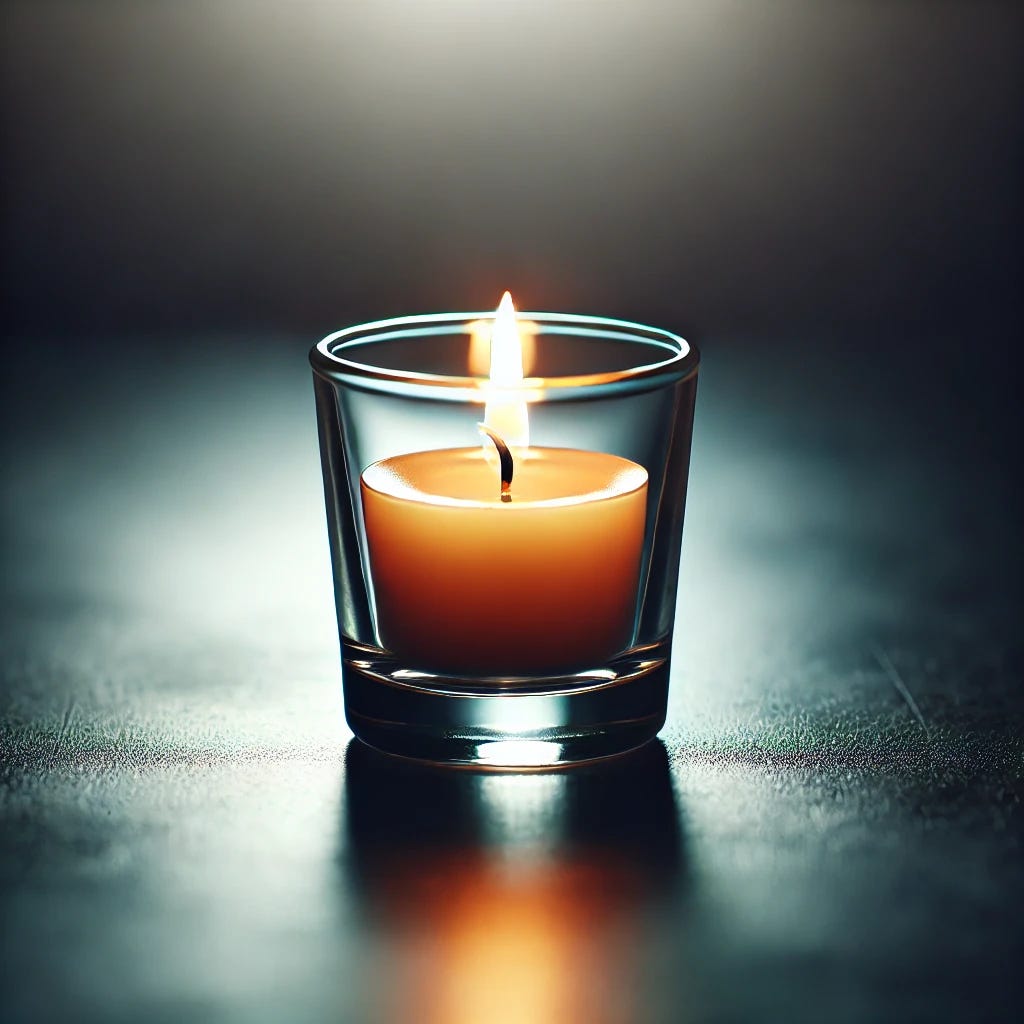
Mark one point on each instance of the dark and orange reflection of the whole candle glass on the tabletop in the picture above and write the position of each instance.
(505, 899)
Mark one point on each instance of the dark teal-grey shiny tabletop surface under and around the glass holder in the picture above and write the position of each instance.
(829, 830)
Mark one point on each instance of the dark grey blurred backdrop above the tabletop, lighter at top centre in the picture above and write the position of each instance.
(734, 167)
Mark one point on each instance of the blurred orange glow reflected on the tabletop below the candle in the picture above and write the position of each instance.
(502, 944)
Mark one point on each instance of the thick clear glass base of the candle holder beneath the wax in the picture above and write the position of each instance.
(513, 724)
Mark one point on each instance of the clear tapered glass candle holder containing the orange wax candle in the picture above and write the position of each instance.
(495, 623)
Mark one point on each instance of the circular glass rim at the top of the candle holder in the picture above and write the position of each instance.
(681, 358)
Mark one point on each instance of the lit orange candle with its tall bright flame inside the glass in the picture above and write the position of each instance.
(527, 567)
